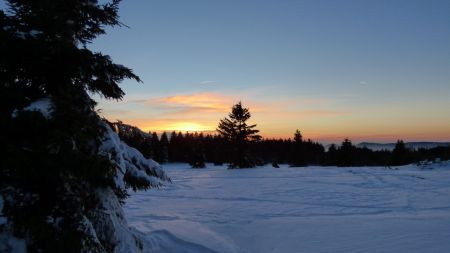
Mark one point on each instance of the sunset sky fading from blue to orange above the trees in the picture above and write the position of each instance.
(366, 70)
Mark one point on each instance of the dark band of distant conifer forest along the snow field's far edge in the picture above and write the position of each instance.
(197, 149)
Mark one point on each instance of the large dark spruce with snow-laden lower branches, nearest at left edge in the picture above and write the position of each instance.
(61, 166)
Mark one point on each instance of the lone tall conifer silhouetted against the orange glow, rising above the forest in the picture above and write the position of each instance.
(238, 134)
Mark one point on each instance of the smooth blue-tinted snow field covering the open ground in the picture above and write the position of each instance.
(314, 209)
